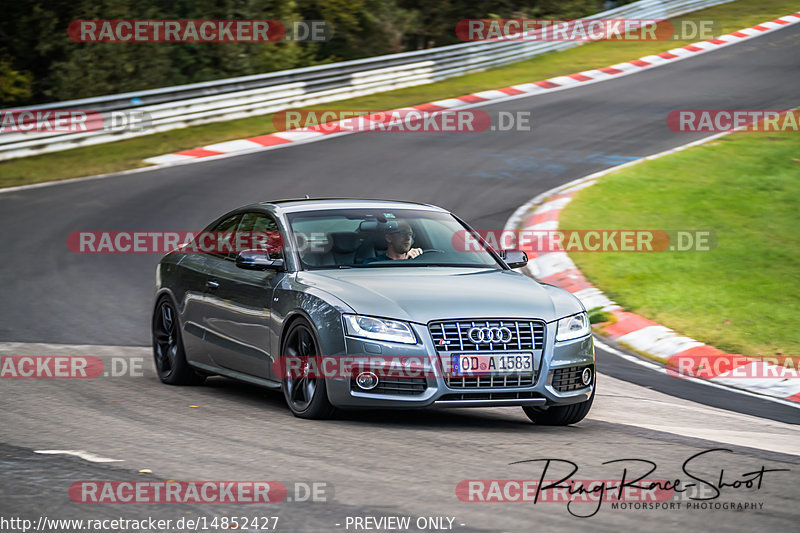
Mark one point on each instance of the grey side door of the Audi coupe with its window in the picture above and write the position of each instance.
(238, 305)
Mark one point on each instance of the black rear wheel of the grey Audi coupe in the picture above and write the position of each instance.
(169, 355)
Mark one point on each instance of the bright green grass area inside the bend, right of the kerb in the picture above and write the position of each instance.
(742, 296)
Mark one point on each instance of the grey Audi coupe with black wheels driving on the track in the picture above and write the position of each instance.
(354, 303)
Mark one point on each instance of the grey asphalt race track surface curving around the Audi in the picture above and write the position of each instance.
(376, 463)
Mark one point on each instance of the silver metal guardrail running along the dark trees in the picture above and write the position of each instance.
(233, 98)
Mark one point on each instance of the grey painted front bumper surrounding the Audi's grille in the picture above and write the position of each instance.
(558, 360)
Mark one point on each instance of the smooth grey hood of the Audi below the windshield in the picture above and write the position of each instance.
(422, 294)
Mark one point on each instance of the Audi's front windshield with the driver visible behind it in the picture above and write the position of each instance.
(384, 238)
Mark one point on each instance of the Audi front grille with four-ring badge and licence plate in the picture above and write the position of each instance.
(452, 337)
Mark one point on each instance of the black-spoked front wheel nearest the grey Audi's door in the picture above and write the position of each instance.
(306, 397)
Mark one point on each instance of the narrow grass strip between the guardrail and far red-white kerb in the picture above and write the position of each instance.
(122, 155)
